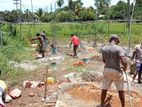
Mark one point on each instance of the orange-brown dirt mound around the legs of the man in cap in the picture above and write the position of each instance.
(90, 93)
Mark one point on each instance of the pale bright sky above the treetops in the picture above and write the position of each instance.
(45, 4)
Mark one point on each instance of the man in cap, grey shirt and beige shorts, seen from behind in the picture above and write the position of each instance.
(113, 57)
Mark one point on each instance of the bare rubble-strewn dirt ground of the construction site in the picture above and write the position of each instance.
(77, 81)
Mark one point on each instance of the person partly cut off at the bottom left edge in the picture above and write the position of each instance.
(3, 89)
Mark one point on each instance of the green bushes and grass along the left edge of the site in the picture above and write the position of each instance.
(11, 50)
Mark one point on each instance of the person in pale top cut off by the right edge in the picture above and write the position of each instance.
(137, 58)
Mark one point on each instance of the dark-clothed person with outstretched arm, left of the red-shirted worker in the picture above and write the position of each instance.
(41, 46)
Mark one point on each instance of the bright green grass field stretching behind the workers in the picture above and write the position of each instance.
(88, 30)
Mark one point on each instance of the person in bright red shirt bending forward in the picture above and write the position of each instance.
(75, 42)
